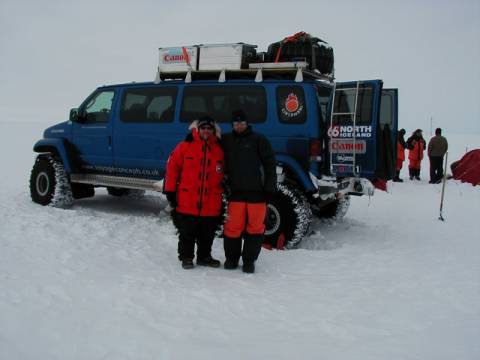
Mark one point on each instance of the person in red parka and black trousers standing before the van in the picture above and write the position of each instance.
(193, 186)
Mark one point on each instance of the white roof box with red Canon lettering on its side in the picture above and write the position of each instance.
(178, 59)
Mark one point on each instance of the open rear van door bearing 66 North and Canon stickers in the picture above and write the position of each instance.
(353, 132)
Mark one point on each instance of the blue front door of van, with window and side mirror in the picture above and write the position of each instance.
(92, 133)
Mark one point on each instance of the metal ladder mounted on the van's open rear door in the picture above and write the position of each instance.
(343, 148)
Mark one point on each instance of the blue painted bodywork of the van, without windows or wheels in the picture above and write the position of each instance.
(142, 149)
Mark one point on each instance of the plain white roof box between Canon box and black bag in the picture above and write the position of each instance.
(226, 56)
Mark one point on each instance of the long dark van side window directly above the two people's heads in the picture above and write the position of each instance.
(220, 101)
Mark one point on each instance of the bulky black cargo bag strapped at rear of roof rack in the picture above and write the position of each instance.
(303, 47)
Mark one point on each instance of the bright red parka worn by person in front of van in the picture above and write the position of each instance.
(195, 173)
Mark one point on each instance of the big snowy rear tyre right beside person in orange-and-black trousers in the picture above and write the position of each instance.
(288, 218)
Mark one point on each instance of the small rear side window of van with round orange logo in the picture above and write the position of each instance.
(291, 107)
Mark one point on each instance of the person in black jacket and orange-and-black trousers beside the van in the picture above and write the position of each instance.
(250, 173)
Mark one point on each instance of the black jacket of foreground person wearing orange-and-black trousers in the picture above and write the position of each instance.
(249, 166)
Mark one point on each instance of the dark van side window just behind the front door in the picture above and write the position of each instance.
(148, 105)
